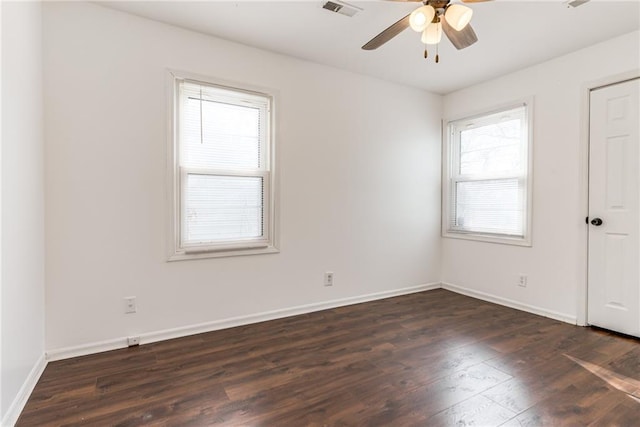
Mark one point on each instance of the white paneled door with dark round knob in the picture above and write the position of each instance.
(614, 208)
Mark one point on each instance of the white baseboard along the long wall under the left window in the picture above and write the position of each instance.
(149, 337)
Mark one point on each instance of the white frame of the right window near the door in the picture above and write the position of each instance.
(450, 159)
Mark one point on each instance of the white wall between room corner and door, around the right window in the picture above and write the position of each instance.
(555, 263)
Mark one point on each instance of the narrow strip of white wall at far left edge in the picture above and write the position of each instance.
(22, 278)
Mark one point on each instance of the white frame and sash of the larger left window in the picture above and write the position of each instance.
(176, 176)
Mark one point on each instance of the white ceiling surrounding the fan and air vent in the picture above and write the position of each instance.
(512, 34)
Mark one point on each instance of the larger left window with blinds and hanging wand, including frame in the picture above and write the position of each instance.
(222, 180)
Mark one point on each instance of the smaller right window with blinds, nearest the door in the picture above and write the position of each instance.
(487, 194)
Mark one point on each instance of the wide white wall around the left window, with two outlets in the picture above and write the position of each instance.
(359, 164)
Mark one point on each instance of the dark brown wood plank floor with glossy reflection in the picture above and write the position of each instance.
(430, 359)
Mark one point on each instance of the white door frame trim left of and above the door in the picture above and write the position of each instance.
(585, 110)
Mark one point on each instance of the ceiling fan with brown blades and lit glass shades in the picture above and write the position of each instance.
(432, 19)
